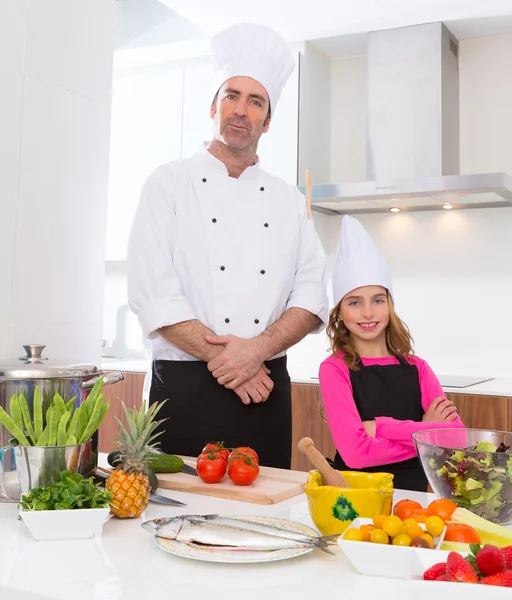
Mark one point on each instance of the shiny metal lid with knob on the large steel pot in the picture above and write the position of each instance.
(36, 366)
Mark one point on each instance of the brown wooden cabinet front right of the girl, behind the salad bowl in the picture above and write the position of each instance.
(484, 412)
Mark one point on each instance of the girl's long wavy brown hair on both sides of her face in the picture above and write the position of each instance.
(398, 337)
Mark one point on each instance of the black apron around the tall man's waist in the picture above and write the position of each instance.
(199, 410)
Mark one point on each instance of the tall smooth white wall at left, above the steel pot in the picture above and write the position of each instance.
(55, 84)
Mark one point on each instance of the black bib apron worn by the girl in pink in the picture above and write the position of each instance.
(389, 391)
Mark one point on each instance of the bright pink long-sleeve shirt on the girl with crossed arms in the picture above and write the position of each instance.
(392, 442)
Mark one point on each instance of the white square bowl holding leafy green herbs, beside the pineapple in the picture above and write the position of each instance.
(73, 524)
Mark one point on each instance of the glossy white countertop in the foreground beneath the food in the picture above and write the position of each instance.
(123, 563)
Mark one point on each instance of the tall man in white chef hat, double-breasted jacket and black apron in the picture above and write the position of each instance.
(225, 272)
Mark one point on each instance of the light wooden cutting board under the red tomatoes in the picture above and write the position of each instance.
(271, 486)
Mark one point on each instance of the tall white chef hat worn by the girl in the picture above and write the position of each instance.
(358, 261)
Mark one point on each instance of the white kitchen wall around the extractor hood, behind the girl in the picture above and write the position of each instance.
(452, 271)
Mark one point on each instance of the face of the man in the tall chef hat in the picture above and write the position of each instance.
(240, 113)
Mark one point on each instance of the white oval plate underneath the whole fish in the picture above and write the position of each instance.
(239, 556)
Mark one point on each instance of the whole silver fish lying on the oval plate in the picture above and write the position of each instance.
(236, 534)
